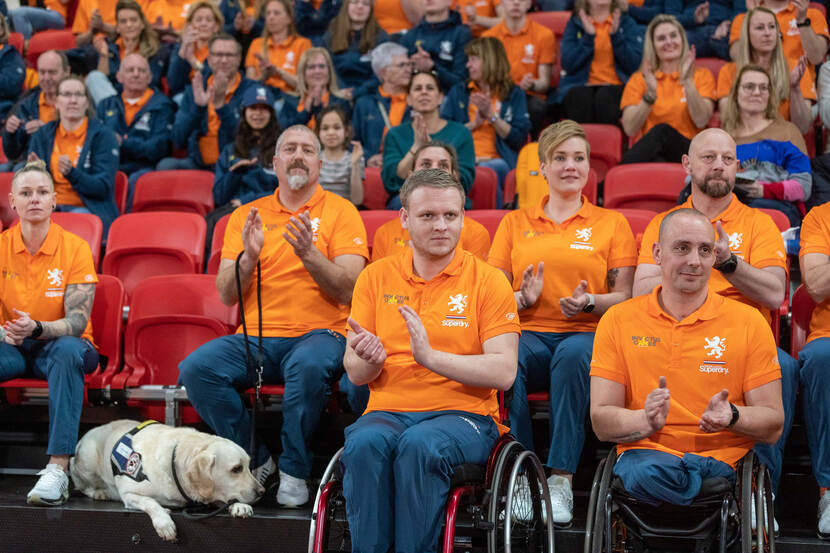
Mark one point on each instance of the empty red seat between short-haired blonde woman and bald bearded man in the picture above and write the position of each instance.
(652, 186)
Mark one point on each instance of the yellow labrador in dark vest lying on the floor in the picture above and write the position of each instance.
(152, 466)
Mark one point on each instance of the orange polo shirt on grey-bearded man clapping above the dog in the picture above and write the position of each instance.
(292, 302)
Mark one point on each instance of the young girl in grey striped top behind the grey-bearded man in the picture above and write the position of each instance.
(342, 170)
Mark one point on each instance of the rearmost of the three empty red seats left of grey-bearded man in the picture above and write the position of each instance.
(183, 190)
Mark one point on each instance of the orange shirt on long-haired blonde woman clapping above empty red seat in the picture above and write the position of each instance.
(670, 106)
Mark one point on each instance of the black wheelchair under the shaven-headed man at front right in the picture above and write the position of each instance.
(718, 520)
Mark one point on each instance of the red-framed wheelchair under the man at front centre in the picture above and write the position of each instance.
(474, 520)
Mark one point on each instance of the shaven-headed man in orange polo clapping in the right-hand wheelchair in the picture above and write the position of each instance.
(676, 424)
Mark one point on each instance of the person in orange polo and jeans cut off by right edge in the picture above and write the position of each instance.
(814, 260)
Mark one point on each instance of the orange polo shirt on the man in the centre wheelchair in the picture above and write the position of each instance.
(468, 303)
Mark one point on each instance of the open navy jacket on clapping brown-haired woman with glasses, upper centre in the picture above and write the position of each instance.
(513, 110)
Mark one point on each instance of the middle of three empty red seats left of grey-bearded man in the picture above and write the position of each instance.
(142, 245)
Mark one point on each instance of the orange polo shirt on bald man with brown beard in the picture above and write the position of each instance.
(752, 236)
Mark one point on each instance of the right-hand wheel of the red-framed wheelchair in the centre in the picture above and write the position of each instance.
(518, 491)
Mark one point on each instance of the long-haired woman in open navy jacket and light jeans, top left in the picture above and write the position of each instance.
(133, 36)
